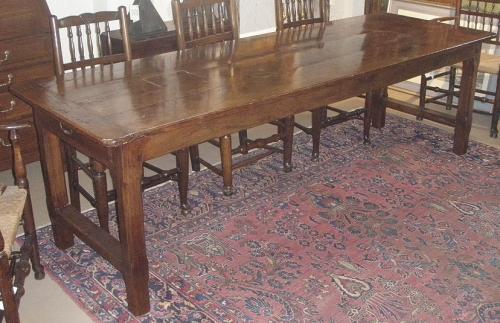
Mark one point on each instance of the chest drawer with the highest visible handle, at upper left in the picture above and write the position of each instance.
(19, 51)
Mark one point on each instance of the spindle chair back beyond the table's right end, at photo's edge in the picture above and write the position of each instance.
(480, 15)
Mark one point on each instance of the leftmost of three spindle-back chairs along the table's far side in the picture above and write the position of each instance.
(83, 32)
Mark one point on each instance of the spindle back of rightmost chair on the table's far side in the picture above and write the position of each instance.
(295, 13)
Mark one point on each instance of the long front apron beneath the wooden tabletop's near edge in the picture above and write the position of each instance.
(173, 138)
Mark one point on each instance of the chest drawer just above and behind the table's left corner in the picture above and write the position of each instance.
(28, 72)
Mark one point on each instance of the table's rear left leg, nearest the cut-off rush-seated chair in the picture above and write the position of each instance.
(55, 183)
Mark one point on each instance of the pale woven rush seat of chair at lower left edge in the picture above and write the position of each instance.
(12, 201)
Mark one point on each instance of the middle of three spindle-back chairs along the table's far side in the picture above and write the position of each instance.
(202, 22)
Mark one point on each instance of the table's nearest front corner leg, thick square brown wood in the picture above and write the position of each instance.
(127, 175)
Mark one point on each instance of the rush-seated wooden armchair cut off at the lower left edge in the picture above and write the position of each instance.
(15, 206)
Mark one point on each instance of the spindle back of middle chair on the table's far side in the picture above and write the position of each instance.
(201, 22)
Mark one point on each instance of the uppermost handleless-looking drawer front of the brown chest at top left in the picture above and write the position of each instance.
(22, 23)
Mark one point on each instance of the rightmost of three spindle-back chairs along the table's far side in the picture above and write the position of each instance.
(297, 16)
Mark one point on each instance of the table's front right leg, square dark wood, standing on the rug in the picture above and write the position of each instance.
(463, 122)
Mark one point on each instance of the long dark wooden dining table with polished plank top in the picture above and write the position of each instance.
(129, 112)
